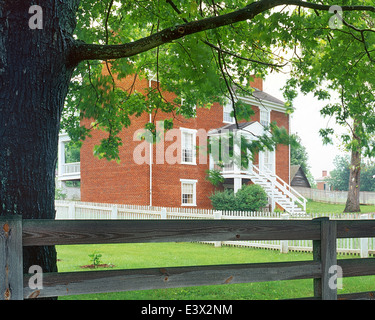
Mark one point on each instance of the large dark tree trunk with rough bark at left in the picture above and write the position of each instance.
(34, 79)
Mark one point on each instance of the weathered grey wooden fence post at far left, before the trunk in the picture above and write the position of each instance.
(11, 262)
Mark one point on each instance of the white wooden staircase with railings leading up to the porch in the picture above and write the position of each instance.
(279, 191)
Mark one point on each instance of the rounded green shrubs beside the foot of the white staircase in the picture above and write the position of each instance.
(249, 198)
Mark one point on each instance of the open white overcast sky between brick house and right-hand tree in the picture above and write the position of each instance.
(306, 121)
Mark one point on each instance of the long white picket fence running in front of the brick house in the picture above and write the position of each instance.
(88, 210)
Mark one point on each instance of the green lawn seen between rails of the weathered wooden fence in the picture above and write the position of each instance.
(126, 256)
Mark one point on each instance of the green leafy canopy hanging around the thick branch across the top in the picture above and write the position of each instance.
(207, 66)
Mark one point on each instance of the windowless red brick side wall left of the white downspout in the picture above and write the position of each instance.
(111, 182)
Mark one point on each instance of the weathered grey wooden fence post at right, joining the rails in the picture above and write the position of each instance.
(324, 251)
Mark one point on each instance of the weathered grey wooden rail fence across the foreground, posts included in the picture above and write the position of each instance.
(16, 233)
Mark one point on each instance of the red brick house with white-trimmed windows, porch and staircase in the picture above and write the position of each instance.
(172, 173)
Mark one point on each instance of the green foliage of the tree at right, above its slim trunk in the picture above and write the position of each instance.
(339, 69)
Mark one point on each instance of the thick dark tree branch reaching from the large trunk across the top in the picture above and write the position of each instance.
(83, 51)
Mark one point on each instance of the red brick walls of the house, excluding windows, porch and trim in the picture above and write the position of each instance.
(128, 182)
